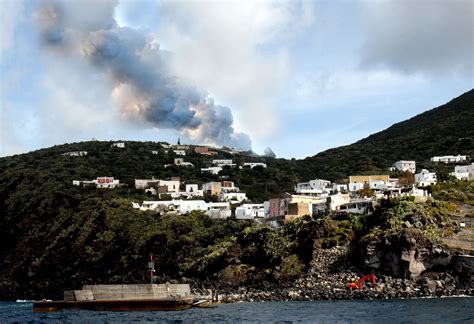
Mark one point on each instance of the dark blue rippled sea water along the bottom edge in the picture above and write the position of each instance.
(432, 310)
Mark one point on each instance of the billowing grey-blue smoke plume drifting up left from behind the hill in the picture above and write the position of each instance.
(143, 87)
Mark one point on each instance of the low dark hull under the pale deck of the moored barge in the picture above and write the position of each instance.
(165, 304)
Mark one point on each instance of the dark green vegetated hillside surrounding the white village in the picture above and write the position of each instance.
(55, 236)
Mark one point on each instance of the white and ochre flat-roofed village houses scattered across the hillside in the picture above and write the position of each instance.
(358, 194)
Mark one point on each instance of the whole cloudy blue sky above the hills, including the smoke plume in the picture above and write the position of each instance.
(297, 76)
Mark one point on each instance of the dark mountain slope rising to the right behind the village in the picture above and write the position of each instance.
(445, 130)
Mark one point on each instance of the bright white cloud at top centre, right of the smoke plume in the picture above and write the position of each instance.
(237, 50)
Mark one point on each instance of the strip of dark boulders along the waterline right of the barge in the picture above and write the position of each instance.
(326, 280)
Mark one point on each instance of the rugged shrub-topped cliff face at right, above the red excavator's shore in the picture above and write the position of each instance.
(412, 241)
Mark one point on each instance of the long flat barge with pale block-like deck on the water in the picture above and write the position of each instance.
(162, 297)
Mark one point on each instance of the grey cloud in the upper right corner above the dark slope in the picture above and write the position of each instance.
(433, 37)
